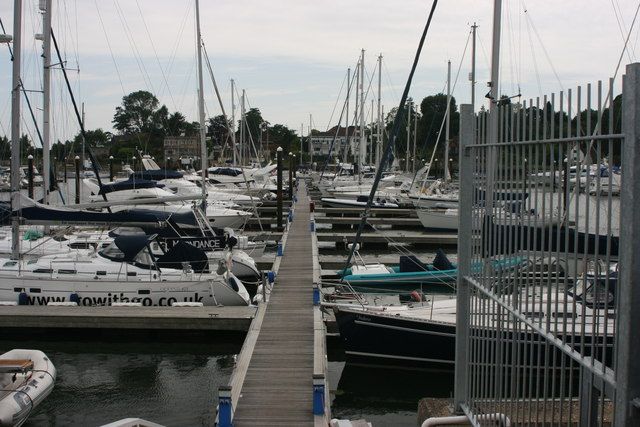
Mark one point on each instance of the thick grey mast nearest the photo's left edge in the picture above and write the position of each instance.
(15, 128)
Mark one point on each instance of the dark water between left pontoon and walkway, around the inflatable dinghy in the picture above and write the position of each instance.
(174, 384)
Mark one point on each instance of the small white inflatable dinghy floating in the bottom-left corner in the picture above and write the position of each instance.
(26, 379)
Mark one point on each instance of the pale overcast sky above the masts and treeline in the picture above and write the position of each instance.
(291, 56)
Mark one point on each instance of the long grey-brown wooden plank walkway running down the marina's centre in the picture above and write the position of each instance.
(278, 386)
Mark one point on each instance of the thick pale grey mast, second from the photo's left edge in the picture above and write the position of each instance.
(46, 97)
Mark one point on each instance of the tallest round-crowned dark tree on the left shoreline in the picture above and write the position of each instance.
(139, 113)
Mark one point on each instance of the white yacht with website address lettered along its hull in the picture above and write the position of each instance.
(126, 271)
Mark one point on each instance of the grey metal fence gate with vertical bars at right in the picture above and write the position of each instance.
(548, 292)
